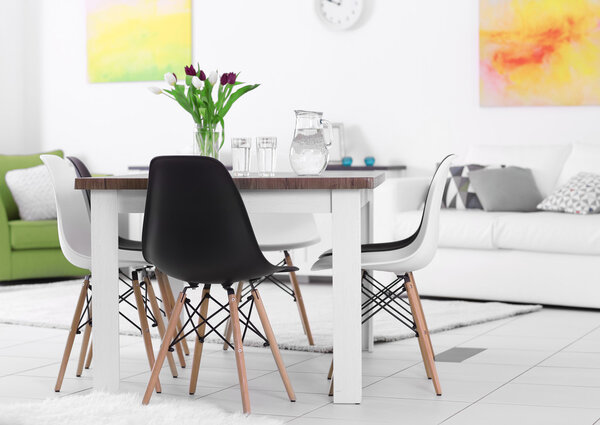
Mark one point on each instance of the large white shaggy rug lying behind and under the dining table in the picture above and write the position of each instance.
(52, 305)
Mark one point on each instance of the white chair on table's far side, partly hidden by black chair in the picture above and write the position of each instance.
(282, 233)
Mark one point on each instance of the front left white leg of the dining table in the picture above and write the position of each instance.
(105, 290)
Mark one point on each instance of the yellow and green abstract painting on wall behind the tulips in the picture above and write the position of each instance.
(137, 40)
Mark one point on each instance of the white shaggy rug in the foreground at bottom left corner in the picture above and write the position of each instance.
(122, 409)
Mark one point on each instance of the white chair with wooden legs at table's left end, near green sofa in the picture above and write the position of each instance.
(74, 233)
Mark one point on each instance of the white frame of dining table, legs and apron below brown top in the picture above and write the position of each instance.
(351, 211)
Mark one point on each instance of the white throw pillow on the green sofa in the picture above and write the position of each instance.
(33, 193)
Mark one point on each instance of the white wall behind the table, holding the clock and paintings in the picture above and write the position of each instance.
(405, 83)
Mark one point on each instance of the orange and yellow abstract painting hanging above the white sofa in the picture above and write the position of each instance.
(539, 52)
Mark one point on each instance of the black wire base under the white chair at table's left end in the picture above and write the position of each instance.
(86, 317)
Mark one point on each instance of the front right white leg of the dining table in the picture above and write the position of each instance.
(347, 354)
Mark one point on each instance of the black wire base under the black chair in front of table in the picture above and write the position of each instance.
(194, 312)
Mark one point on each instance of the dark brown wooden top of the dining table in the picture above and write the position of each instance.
(281, 181)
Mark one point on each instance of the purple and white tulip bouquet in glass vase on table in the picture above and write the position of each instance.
(195, 95)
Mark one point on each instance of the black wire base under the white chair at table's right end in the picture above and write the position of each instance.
(388, 298)
